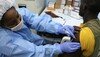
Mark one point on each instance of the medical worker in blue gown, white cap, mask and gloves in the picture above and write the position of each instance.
(17, 40)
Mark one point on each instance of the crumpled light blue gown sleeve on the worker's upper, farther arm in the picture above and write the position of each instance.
(40, 23)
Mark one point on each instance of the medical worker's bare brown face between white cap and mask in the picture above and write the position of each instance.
(11, 18)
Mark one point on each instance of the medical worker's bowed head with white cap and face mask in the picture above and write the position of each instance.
(9, 17)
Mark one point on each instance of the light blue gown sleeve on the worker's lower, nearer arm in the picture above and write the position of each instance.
(18, 47)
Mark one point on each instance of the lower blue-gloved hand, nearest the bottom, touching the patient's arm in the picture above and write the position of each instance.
(69, 46)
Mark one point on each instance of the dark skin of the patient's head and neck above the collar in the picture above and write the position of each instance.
(89, 11)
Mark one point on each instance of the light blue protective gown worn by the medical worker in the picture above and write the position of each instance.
(24, 43)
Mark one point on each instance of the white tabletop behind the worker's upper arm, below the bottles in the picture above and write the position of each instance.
(74, 19)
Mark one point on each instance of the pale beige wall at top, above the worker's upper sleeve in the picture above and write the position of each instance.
(33, 5)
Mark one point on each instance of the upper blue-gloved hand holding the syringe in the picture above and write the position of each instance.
(68, 30)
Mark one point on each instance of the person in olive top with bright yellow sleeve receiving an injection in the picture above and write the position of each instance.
(90, 31)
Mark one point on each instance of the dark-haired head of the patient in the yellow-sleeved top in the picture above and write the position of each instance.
(88, 7)
